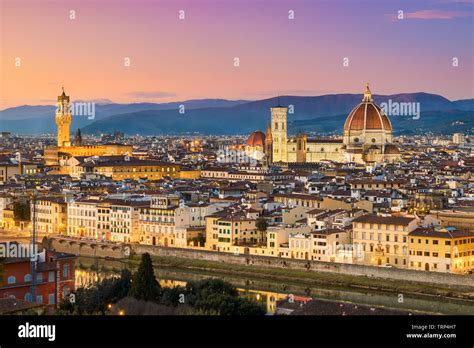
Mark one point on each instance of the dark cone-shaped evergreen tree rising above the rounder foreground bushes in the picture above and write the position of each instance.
(144, 284)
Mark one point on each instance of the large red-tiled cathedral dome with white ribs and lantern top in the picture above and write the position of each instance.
(367, 116)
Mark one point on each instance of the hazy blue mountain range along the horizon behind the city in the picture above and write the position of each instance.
(324, 114)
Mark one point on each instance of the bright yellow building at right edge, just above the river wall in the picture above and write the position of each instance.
(441, 250)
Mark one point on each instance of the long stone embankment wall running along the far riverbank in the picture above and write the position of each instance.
(96, 249)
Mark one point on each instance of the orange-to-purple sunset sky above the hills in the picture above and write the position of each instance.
(142, 51)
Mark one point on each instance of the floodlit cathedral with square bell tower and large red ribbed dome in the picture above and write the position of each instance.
(367, 139)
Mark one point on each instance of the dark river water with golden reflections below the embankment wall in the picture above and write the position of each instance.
(91, 270)
